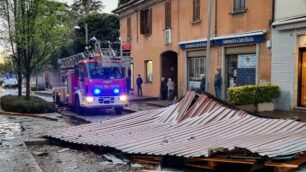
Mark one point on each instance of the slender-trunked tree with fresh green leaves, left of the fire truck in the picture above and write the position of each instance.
(39, 26)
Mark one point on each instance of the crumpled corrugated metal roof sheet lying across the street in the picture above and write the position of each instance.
(181, 130)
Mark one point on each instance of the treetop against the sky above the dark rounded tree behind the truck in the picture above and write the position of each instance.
(85, 7)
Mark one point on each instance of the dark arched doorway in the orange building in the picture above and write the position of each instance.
(169, 67)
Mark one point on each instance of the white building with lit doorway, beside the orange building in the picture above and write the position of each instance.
(289, 53)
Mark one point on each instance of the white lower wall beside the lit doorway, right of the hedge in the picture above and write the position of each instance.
(283, 67)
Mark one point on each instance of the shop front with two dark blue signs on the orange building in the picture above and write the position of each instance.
(240, 59)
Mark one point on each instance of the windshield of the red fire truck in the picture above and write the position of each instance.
(98, 72)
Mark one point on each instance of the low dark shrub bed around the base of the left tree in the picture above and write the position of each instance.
(21, 105)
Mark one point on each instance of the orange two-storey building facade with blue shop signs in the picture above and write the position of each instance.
(168, 39)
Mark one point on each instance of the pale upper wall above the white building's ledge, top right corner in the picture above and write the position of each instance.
(289, 9)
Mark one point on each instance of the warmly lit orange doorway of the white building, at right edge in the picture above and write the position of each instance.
(302, 79)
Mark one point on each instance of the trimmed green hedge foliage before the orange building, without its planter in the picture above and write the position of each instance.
(251, 94)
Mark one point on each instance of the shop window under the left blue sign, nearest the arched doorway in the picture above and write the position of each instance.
(196, 67)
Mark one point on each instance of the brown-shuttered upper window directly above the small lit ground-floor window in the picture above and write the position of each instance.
(146, 22)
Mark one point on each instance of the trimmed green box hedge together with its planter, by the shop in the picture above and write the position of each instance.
(253, 98)
